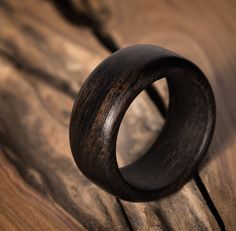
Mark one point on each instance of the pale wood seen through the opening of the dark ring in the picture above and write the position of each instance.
(141, 125)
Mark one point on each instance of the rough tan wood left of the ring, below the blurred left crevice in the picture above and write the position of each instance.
(28, 127)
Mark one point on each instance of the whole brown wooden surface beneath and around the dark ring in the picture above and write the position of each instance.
(44, 59)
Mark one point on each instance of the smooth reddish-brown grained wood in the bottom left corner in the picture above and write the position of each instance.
(18, 201)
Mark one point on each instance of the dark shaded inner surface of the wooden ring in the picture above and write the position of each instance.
(174, 153)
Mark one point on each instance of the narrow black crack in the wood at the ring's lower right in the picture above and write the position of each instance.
(209, 201)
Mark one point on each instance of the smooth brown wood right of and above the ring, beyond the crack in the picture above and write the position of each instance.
(204, 32)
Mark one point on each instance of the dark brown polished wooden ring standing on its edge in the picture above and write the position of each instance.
(102, 103)
